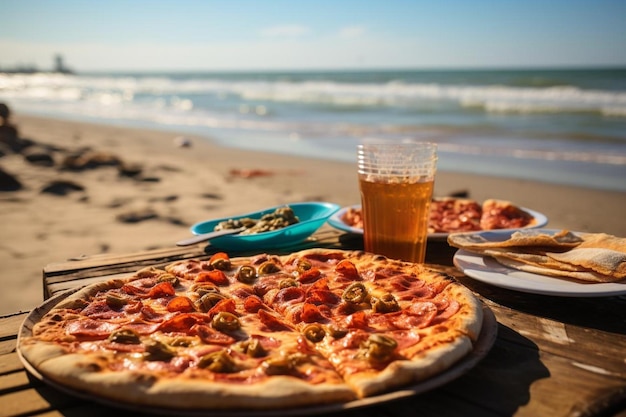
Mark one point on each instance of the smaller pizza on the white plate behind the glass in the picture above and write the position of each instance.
(454, 215)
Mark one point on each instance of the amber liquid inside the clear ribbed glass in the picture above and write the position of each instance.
(395, 218)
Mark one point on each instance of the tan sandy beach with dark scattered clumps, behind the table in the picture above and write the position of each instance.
(86, 189)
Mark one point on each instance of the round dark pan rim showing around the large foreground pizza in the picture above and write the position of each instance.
(482, 346)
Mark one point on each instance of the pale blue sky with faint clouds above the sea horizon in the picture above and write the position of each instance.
(300, 34)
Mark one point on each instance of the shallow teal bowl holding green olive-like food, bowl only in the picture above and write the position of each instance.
(312, 216)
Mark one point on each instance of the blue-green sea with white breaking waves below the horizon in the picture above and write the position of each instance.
(558, 126)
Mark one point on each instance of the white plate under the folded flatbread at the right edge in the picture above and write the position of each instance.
(488, 270)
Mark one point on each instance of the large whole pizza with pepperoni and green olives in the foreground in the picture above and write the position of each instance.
(260, 332)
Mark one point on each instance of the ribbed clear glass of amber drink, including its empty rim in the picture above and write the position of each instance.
(396, 180)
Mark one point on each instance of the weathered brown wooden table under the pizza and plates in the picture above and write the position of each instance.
(553, 356)
